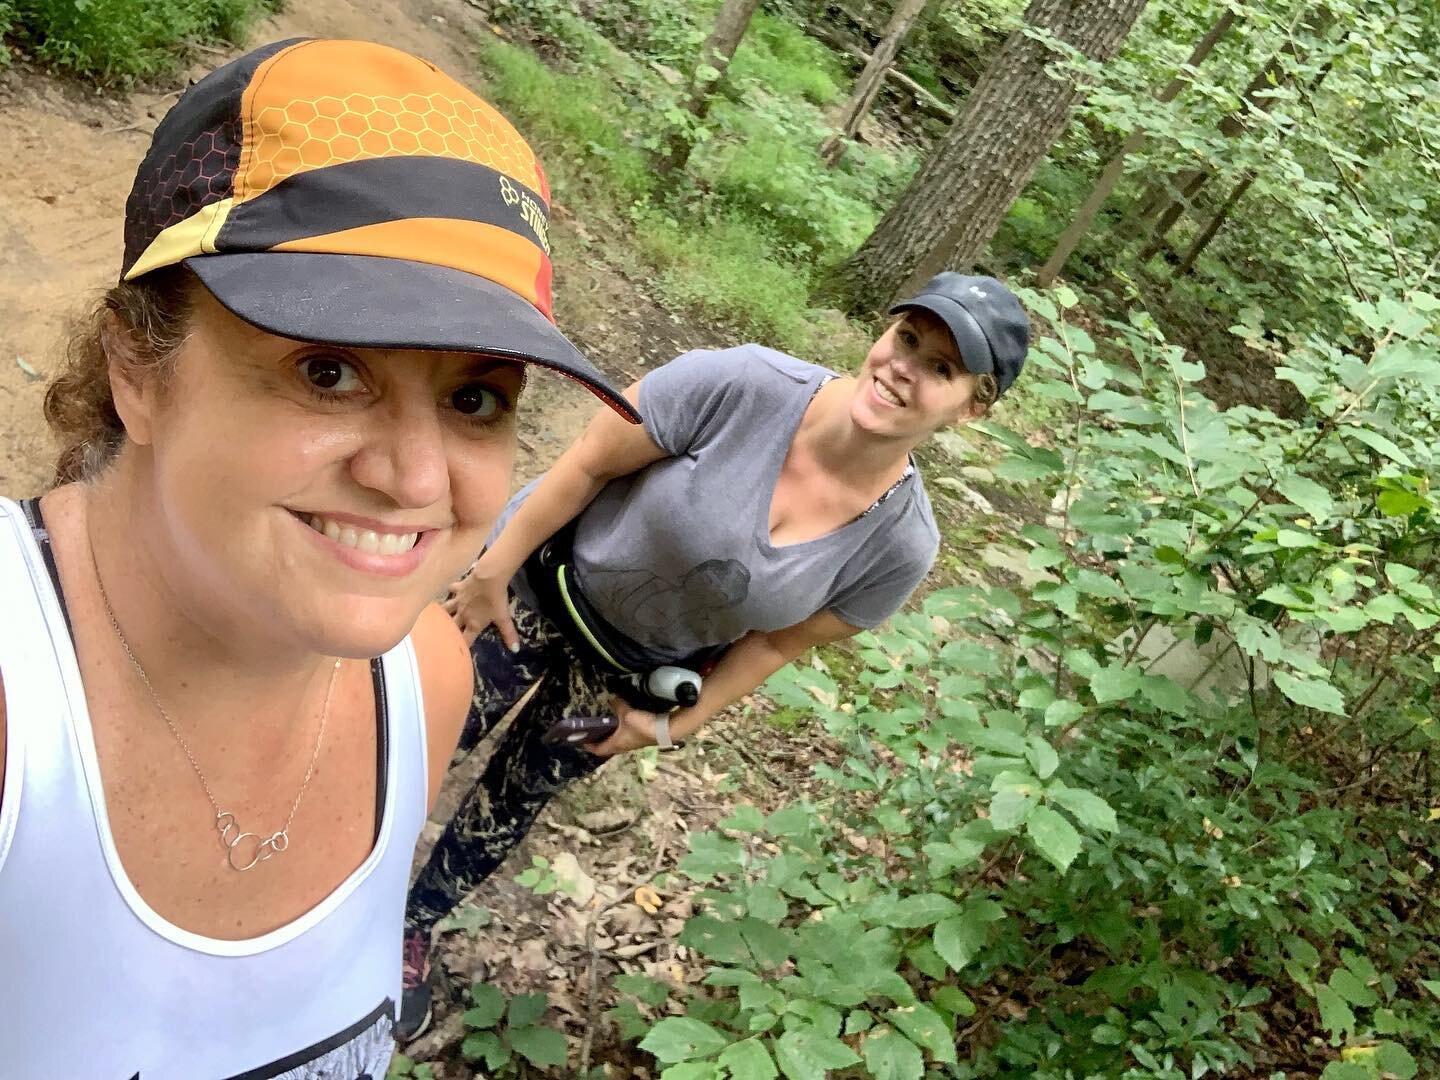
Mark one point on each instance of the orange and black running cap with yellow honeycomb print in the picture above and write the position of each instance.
(354, 195)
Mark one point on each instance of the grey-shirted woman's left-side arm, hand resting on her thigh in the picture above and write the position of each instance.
(607, 450)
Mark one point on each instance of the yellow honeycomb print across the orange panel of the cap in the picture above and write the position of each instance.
(330, 130)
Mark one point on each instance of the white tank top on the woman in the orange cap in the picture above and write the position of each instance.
(93, 981)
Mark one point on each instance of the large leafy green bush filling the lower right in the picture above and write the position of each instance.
(1094, 862)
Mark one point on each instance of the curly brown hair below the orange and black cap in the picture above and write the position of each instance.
(155, 315)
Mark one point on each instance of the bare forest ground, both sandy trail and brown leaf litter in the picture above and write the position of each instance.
(67, 161)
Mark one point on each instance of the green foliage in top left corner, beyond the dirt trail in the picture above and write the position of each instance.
(122, 41)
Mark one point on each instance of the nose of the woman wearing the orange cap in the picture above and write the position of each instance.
(404, 454)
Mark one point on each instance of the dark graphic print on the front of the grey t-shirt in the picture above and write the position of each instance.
(646, 604)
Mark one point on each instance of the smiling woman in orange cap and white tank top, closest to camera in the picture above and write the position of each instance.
(228, 701)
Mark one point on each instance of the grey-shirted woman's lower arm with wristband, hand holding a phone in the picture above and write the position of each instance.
(744, 667)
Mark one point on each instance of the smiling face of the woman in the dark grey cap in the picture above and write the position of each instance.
(914, 382)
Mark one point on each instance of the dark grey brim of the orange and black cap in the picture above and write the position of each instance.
(366, 302)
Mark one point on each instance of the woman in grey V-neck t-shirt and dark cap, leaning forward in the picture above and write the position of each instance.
(765, 508)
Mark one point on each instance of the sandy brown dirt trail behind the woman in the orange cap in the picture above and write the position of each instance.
(68, 156)
